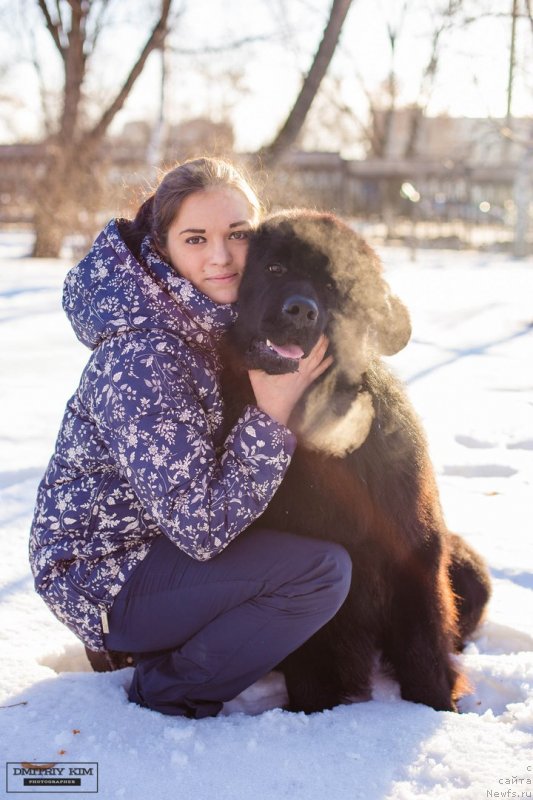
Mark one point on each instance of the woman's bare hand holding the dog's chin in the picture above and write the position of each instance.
(277, 395)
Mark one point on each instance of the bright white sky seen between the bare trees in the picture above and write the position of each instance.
(471, 81)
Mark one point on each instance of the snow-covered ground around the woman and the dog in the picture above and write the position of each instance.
(469, 369)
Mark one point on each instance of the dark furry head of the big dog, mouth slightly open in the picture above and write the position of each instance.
(309, 273)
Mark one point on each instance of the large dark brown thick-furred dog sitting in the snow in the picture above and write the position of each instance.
(361, 475)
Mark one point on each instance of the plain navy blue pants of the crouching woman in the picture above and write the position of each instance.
(203, 631)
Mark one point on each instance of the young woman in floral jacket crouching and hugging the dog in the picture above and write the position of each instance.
(141, 541)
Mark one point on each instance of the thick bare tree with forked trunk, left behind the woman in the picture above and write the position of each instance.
(72, 148)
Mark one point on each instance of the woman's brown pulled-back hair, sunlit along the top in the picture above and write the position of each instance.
(158, 211)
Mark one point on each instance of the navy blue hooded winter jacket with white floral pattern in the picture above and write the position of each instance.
(141, 450)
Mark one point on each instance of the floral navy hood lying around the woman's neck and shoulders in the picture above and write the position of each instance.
(111, 292)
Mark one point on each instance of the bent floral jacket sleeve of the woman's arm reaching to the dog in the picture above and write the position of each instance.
(149, 411)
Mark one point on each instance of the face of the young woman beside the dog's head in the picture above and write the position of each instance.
(208, 240)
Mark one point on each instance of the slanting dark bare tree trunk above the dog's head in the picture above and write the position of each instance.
(311, 84)
